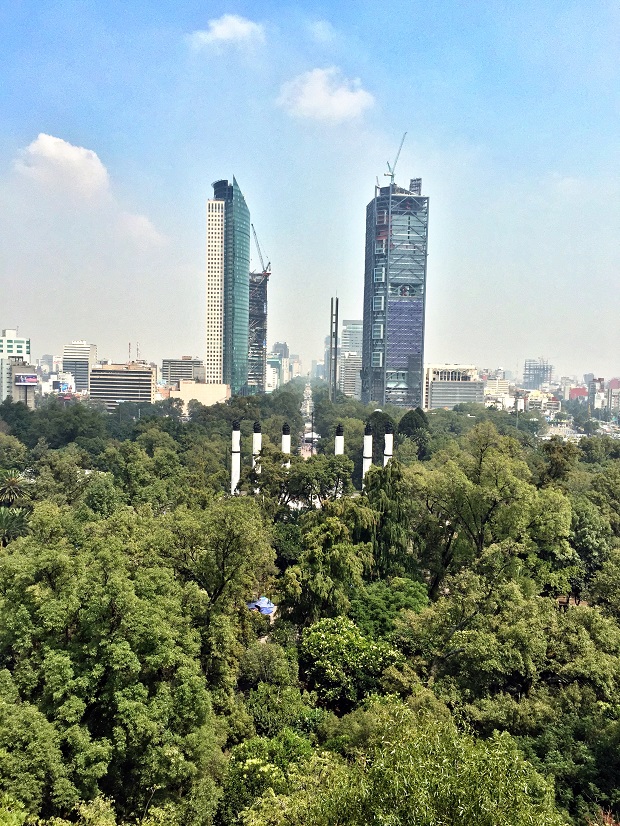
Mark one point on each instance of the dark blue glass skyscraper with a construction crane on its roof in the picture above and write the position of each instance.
(394, 295)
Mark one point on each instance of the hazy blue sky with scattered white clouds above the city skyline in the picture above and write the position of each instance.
(116, 117)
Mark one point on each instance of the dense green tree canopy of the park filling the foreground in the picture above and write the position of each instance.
(445, 648)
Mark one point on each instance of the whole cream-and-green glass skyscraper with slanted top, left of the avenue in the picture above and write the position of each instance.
(228, 286)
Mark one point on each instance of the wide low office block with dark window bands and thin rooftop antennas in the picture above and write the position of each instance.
(115, 383)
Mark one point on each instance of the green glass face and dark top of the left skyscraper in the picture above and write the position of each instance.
(236, 284)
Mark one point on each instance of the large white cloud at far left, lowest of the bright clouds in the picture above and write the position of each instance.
(57, 164)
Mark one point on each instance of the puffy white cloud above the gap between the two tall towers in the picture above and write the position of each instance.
(324, 94)
